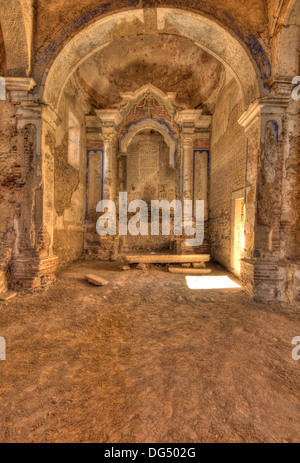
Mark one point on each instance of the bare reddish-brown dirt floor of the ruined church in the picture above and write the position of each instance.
(146, 359)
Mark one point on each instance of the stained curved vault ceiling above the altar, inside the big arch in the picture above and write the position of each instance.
(171, 63)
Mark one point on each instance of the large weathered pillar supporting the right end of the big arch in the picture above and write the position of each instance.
(262, 269)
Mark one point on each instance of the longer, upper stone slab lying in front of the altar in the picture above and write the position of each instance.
(166, 258)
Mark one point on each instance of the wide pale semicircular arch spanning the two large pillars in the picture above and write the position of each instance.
(227, 47)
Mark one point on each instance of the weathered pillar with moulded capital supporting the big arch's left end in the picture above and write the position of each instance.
(33, 263)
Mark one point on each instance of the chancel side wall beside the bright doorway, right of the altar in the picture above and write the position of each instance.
(227, 170)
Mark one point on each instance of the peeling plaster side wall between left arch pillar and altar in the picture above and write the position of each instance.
(69, 180)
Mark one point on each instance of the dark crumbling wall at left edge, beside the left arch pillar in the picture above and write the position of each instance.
(16, 171)
